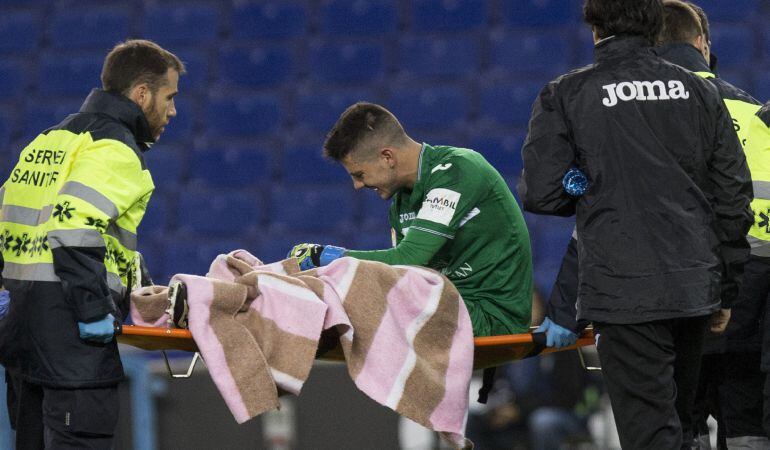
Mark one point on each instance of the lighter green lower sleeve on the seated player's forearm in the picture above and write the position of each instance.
(416, 249)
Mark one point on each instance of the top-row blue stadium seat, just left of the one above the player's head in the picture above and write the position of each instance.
(275, 19)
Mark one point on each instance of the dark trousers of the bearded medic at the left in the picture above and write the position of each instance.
(47, 418)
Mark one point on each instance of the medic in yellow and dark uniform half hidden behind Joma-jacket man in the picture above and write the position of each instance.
(730, 385)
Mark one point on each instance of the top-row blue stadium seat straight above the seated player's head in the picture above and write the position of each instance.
(367, 17)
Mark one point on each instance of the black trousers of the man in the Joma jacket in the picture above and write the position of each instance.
(651, 372)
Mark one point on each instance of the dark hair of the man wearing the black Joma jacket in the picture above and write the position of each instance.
(635, 17)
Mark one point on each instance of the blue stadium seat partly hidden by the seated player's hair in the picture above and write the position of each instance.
(318, 109)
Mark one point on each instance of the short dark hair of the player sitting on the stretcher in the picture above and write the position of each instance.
(363, 127)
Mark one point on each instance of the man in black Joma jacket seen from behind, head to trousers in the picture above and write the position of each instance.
(662, 226)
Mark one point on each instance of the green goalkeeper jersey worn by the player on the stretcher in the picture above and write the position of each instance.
(461, 219)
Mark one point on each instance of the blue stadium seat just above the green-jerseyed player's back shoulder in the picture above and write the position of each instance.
(502, 150)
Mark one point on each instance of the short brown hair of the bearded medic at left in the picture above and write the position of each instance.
(138, 61)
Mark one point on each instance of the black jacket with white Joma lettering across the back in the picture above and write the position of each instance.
(669, 190)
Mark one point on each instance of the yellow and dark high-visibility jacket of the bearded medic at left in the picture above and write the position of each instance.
(68, 218)
